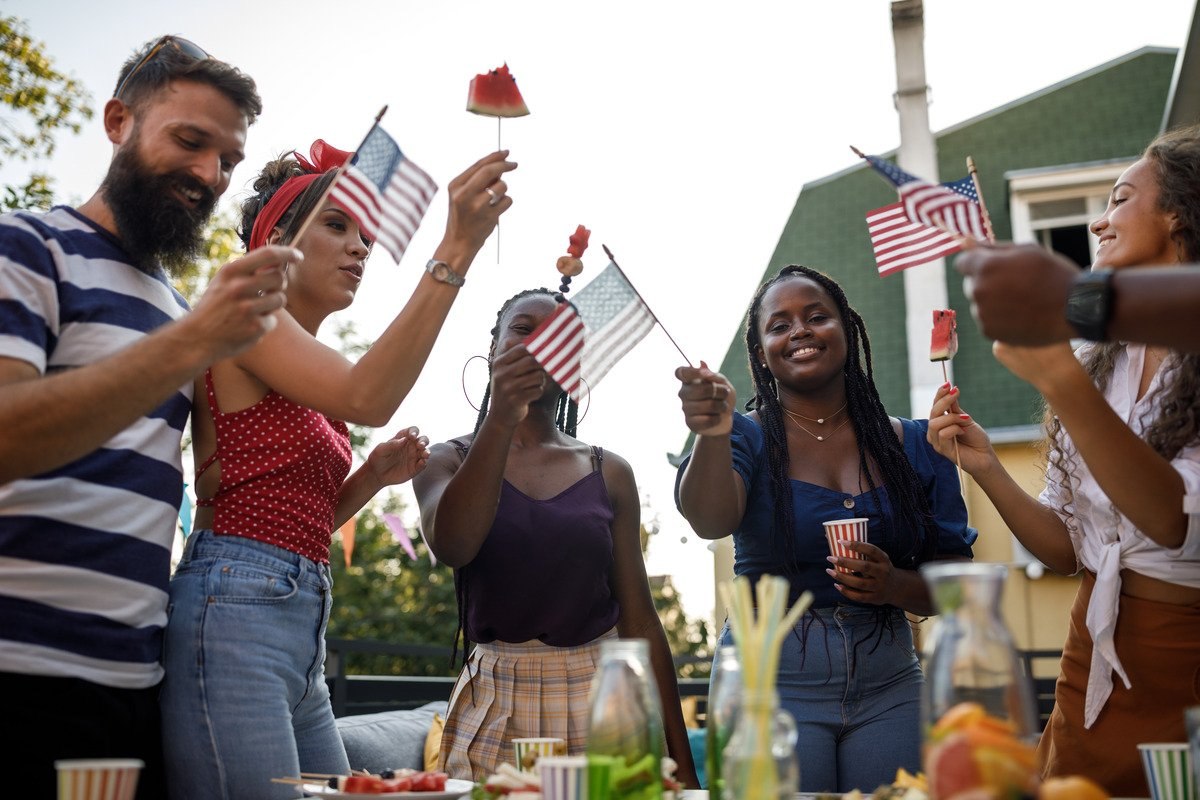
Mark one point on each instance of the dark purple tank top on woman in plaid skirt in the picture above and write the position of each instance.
(543, 573)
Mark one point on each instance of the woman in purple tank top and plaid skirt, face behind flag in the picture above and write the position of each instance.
(544, 534)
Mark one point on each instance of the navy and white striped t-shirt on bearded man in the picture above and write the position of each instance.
(86, 549)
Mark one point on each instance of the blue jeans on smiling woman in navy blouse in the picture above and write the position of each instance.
(854, 688)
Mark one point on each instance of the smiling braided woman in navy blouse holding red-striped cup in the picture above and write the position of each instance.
(818, 446)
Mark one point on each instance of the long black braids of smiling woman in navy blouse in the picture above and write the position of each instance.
(914, 538)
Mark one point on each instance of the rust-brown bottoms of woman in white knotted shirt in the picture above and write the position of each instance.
(1160, 648)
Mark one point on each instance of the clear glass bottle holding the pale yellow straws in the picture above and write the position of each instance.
(760, 760)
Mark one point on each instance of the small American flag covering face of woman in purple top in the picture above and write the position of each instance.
(583, 340)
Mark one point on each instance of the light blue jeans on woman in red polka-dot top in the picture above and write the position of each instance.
(245, 699)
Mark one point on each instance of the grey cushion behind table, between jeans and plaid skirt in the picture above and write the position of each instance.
(389, 741)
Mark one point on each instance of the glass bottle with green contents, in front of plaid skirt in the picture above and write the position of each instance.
(626, 726)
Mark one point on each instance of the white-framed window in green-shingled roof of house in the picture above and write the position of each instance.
(1053, 207)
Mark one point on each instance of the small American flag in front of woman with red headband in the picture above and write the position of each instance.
(386, 193)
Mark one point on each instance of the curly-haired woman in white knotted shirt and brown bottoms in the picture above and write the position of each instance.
(1123, 474)
